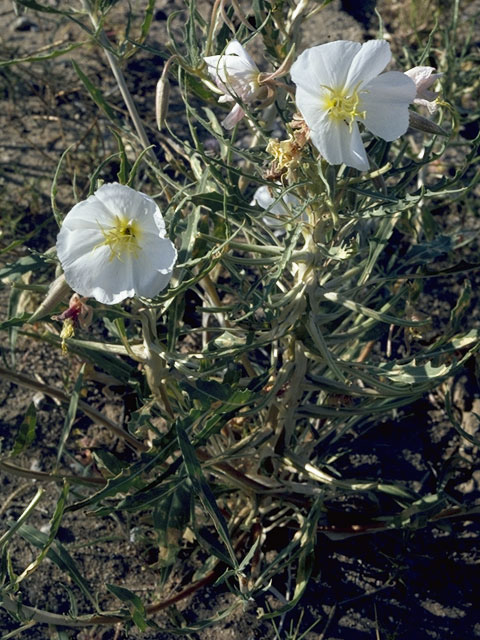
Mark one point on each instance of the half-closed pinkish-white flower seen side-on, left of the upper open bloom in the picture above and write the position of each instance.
(236, 74)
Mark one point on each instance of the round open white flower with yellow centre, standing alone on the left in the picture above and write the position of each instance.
(112, 246)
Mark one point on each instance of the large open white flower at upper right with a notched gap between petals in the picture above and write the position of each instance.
(338, 86)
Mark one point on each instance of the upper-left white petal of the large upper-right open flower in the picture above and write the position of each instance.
(326, 65)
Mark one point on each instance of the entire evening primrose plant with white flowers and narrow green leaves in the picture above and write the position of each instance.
(253, 278)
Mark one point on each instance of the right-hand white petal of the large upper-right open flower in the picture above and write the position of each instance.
(386, 101)
